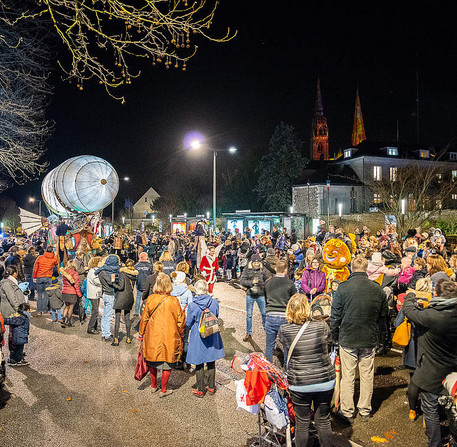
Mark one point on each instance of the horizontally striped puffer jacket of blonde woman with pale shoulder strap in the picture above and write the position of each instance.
(310, 360)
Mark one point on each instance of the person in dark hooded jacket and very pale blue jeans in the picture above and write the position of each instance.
(108, 274)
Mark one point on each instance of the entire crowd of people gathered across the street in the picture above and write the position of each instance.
(168, 282)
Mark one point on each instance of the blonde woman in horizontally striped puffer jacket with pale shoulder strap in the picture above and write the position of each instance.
(310, 372)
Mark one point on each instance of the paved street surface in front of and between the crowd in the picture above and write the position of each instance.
(78, 390)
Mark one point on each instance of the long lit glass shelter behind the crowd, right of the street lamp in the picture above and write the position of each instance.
(265, 221)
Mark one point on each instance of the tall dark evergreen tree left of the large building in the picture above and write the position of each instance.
(280, 168)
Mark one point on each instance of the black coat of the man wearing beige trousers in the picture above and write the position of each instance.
(357, 307)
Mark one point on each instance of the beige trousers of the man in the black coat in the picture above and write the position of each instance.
(351, 359)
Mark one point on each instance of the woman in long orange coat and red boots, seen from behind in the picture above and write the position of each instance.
(161, 330)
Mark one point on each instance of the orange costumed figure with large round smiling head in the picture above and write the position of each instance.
(336, 256)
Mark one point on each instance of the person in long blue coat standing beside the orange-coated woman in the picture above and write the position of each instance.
(203, 350)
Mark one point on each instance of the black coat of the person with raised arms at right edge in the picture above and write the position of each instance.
(437, 347)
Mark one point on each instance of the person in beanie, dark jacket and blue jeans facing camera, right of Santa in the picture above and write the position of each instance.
(253, 279)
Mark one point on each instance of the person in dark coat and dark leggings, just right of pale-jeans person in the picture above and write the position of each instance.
(123, 300)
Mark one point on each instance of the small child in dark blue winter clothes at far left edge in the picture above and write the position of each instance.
(20, 327)
